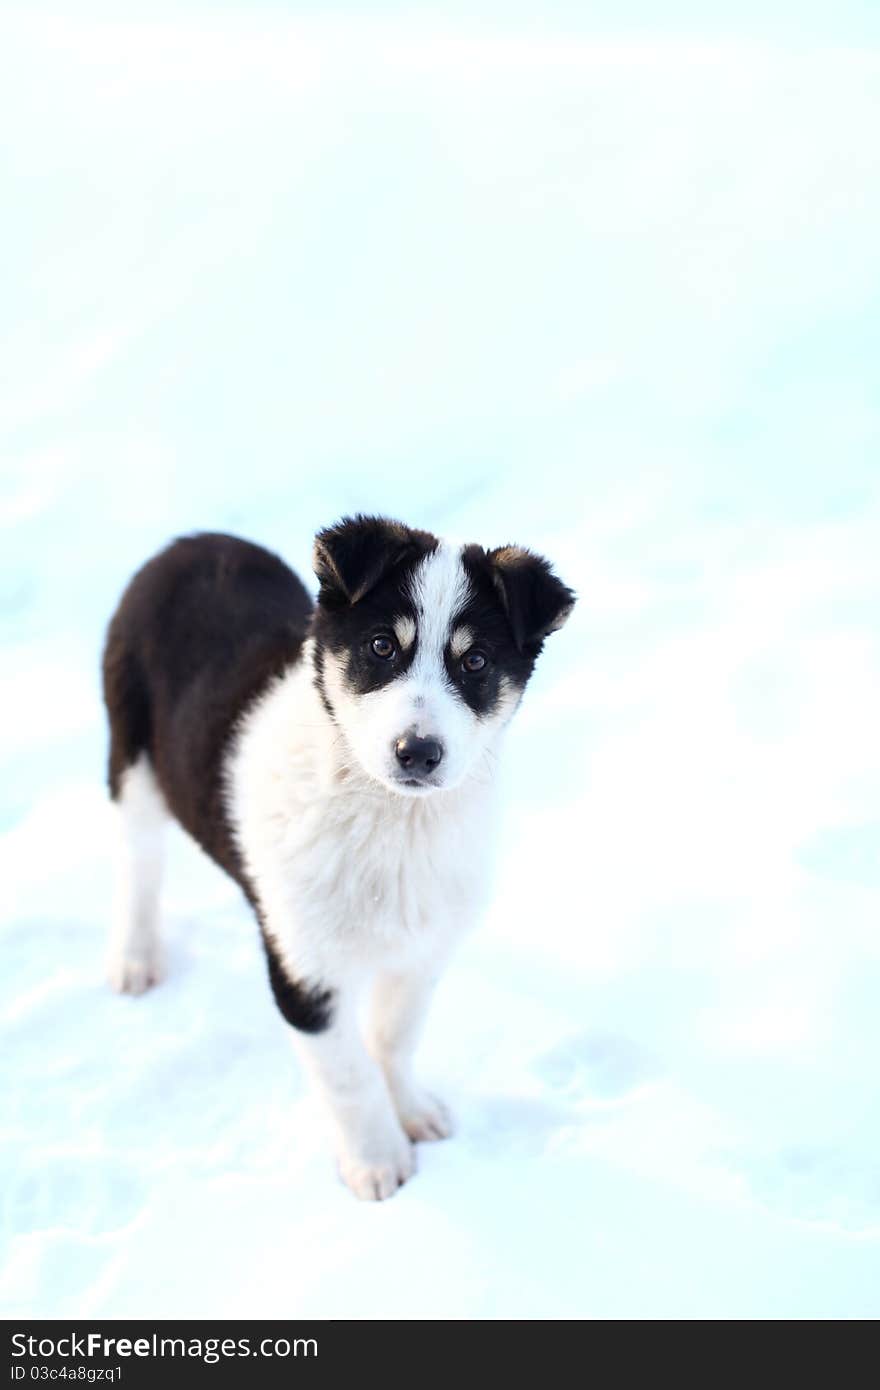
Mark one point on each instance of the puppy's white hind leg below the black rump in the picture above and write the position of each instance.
(136, 950)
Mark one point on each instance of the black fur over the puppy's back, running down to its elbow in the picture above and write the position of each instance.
(199, 635)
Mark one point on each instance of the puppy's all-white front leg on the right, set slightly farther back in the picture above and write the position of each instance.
(400, 1006)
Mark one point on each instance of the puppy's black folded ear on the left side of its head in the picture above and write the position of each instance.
(352, 557)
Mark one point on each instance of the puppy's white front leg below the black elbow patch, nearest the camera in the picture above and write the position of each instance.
(375, 1154)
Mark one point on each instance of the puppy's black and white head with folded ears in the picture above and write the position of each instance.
(423, 650)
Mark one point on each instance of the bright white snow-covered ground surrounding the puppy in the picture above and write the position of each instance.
(608, 294)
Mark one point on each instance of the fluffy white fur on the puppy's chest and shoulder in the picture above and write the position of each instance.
(350, 875)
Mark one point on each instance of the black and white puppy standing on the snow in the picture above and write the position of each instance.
(337, 761)
